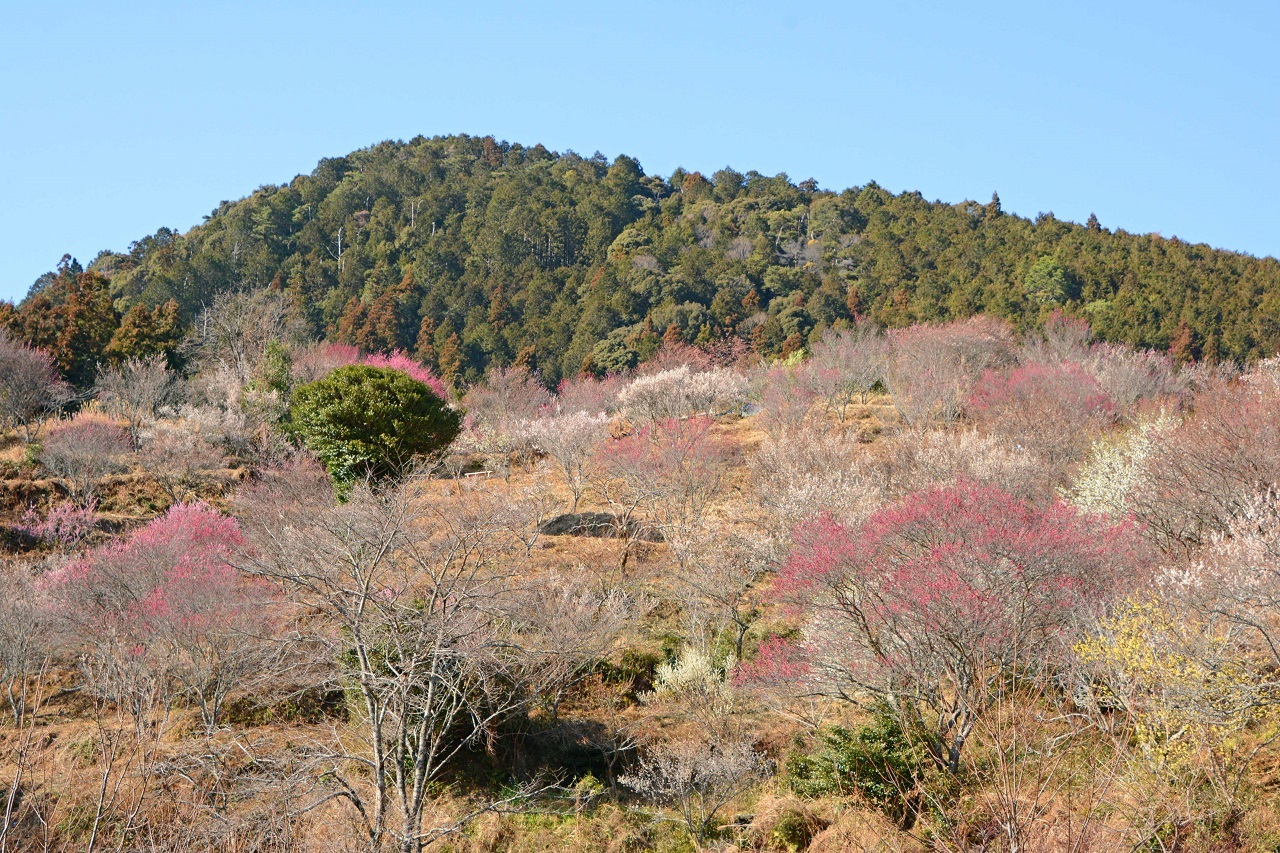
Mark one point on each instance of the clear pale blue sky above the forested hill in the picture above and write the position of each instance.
(120, 118)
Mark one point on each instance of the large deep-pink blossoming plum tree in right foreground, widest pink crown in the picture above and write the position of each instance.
(936, 603)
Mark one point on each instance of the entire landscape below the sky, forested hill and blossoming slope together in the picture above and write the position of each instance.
(473, 498)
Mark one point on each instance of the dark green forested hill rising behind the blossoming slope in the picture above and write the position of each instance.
(473, 253)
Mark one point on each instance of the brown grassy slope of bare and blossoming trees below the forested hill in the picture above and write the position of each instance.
(940, 589)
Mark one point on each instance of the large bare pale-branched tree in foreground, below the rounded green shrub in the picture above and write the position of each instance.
(417, 606)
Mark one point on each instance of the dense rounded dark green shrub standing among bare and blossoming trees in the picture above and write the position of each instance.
(372, 422)
